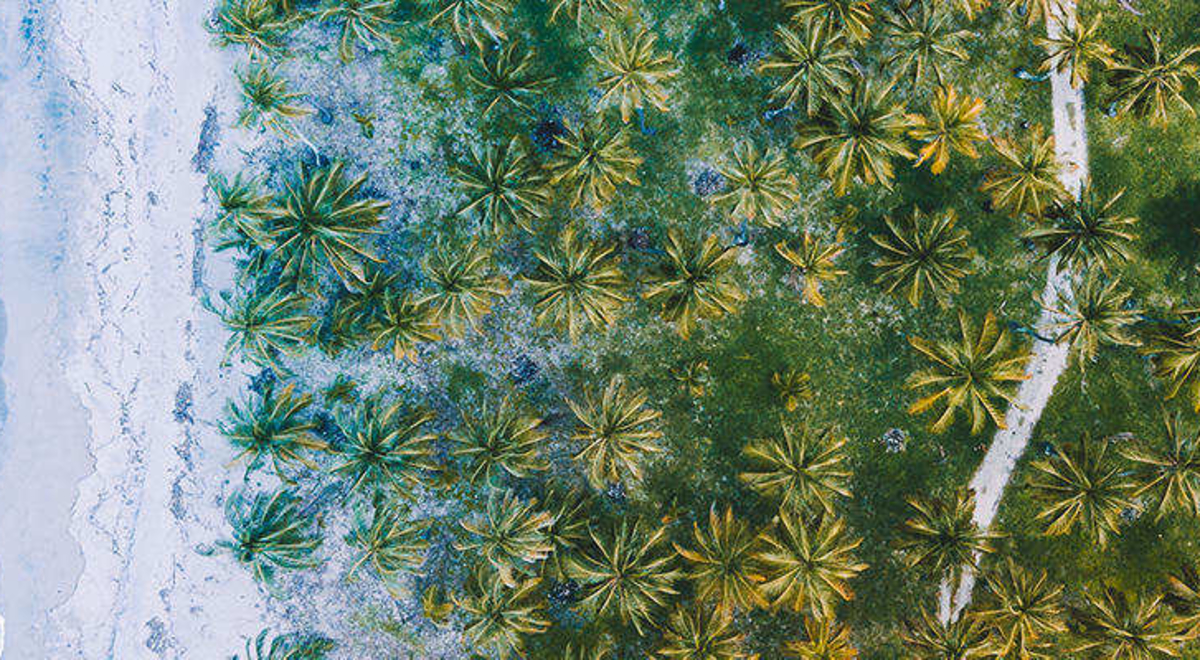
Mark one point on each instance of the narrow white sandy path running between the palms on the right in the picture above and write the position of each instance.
(1049, 361)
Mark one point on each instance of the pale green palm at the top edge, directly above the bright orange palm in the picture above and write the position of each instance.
(926, 43)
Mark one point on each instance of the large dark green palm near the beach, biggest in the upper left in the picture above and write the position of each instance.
(321, 224)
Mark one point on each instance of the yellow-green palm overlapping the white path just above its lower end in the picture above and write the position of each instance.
(943, 535)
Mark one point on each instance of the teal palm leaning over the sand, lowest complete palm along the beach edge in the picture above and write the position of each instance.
(269, 535)
